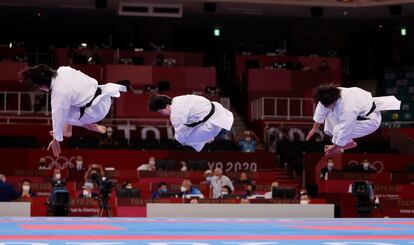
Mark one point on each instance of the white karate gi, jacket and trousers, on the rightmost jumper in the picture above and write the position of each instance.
(341, 123)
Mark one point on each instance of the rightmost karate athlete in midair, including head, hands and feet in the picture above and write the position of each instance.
(348, 113)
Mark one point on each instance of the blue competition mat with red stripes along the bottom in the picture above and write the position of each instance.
(42, 231)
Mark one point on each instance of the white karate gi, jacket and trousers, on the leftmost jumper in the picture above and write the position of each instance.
(72, 89)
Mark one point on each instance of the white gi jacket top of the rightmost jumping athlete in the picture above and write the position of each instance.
(354, 102)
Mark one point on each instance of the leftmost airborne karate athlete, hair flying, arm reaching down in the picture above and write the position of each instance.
(76, 99)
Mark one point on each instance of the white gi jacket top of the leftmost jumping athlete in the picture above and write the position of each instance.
(69, 88)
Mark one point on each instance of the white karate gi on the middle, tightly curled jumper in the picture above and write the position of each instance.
(187, 109)
